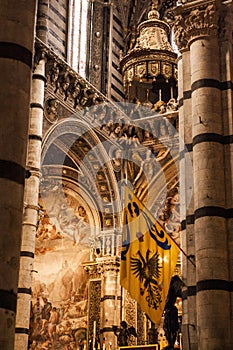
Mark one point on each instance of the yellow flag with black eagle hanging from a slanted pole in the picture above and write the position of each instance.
(148, 258)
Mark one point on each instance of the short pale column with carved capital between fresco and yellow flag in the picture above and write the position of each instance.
(105, 271)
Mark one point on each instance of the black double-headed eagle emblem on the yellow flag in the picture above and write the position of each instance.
(148, 270)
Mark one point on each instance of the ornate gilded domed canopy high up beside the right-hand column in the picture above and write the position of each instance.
(149, 67)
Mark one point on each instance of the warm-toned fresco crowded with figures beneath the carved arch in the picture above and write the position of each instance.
(59, 290)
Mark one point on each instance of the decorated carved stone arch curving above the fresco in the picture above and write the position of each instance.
(82, 160)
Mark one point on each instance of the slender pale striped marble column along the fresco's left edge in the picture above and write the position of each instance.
(30, 218)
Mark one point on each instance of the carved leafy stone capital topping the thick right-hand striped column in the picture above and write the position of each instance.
(195, 19)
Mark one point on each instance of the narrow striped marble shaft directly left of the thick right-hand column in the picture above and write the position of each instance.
(187, 212)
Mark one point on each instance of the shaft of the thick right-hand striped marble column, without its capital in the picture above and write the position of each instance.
(213, 299)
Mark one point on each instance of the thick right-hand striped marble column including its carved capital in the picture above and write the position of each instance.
(198, 27)
